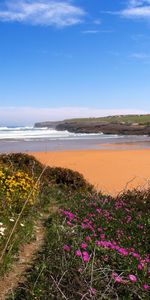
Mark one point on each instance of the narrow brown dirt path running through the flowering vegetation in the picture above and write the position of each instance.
(26, 255)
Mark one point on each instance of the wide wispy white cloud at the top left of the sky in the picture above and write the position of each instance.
(59, 13)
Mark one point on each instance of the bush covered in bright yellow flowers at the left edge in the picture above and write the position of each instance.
(15, 189)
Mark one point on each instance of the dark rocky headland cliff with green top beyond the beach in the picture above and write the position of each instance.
(126, 125)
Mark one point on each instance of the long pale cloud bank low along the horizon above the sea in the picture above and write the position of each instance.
(30, 115)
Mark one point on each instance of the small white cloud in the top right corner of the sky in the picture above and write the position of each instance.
(137, 9)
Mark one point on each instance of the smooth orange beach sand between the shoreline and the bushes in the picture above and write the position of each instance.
(111, 171)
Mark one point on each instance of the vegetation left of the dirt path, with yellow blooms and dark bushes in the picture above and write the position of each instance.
(25, 192)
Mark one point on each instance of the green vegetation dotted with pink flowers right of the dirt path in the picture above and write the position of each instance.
(95, 248)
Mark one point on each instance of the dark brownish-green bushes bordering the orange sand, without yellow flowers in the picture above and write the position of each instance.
(50, 176)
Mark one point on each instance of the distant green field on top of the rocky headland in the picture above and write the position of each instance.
(141, 119)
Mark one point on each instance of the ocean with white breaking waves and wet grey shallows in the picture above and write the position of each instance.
(25, 139)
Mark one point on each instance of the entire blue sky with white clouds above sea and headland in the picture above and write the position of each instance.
(67, 58)
